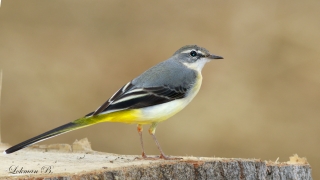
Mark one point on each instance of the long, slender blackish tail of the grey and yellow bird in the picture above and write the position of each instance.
(54, 132)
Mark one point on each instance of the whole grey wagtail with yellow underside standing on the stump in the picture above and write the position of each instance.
(154, 96)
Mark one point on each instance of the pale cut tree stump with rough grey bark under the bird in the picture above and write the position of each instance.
(78, 161)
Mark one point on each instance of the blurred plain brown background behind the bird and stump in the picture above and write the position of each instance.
(63, 59)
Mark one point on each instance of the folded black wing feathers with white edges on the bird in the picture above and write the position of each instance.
(131, 97)
